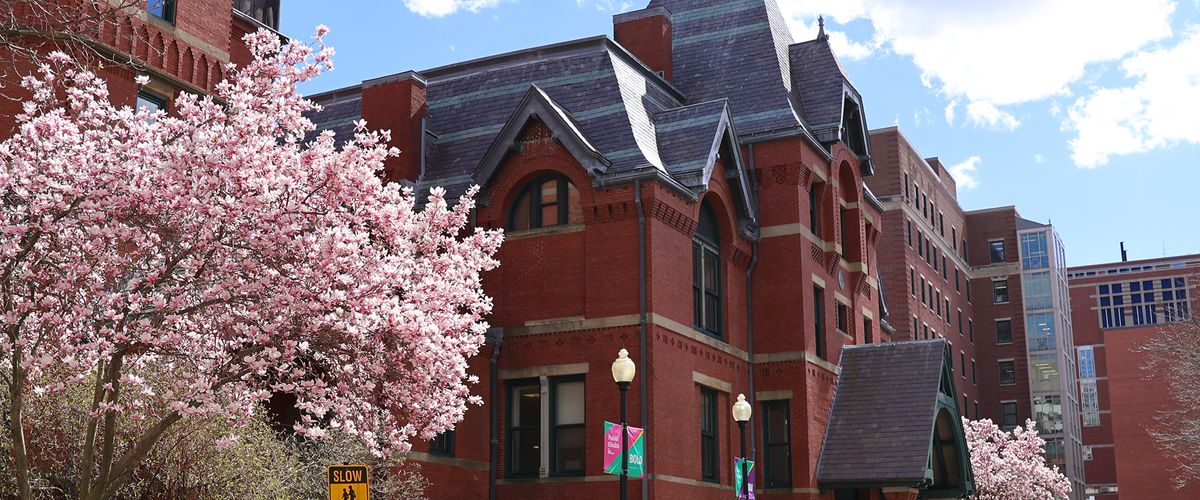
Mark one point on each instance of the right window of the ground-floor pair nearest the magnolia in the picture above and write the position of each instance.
(567, 451)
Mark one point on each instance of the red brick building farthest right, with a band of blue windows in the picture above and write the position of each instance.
(1115, 308)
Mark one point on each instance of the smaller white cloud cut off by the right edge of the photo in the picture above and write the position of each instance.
(1160, 111)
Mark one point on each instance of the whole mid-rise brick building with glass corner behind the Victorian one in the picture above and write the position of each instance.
(989, 282)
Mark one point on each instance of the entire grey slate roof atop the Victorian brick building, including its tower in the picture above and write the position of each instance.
(734, 75)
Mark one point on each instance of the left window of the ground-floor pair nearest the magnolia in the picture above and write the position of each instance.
(525, 429)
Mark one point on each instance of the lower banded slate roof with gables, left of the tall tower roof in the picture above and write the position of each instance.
(616, 116)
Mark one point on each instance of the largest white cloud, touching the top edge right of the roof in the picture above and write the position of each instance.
(995, 53)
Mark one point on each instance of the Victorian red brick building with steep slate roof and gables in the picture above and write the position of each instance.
(692, 192)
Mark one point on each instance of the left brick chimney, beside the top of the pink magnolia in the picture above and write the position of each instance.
(397, 103)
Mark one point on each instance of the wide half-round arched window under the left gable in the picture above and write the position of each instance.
(548, 201)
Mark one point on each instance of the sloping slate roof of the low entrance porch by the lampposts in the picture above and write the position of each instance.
(883, 418)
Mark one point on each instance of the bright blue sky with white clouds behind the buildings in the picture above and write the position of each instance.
(1084, 113)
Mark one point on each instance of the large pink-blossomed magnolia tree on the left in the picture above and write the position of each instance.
(223, 254)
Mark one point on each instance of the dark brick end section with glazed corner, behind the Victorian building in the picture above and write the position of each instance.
(1019, 278)
